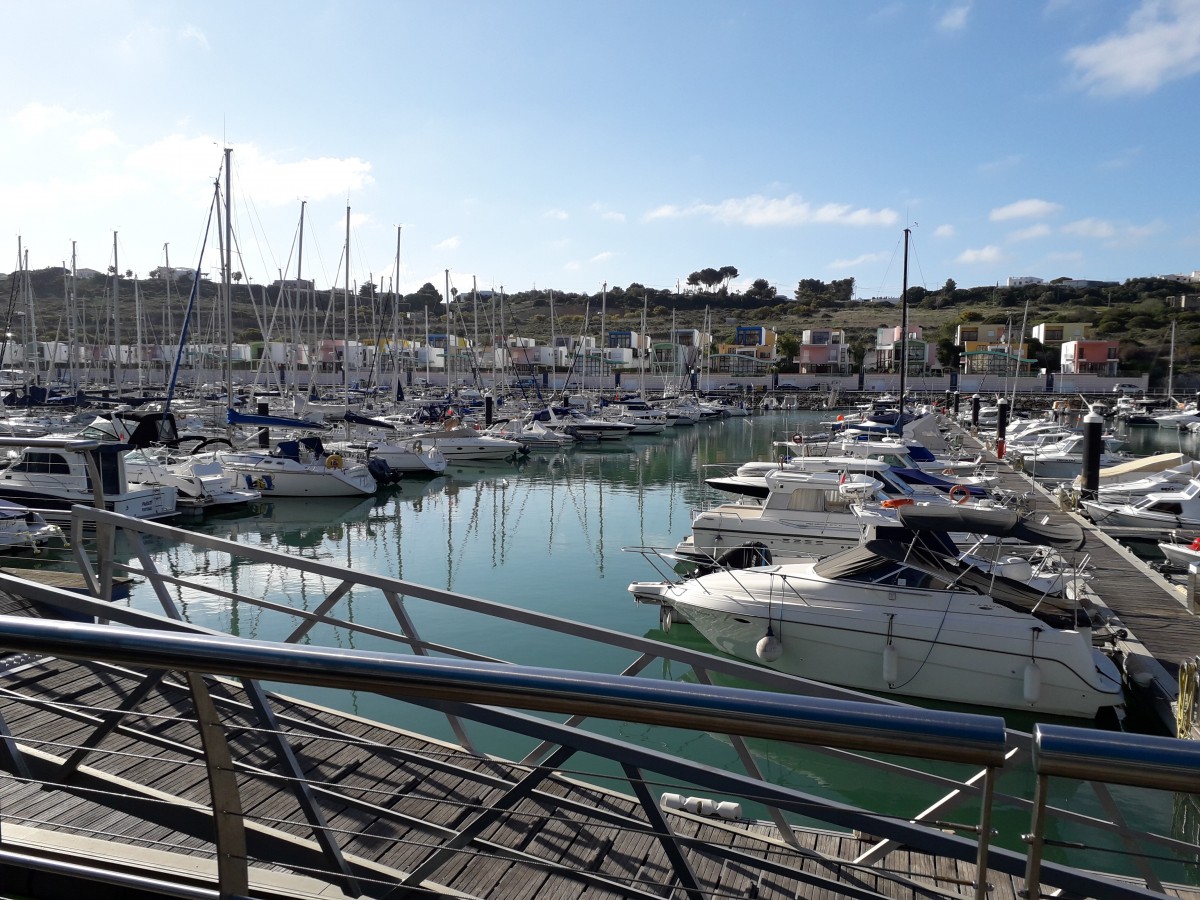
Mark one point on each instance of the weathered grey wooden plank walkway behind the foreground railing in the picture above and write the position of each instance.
(407, 815)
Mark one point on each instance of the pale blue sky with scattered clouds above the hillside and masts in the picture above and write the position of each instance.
(567, 145)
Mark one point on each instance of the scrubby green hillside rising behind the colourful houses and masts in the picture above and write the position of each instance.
(1139, 314)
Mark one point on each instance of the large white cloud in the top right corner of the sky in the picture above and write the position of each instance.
(1160, 44)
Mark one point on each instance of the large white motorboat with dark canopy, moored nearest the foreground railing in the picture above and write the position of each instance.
(903, 615)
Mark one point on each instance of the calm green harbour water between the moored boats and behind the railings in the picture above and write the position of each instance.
(549, 536)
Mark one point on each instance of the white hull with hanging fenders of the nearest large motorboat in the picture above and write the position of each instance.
(944, 647)
